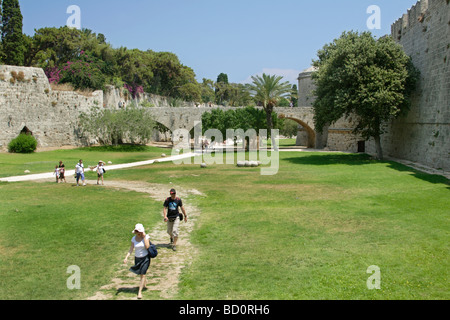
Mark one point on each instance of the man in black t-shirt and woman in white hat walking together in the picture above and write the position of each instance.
(140, 242)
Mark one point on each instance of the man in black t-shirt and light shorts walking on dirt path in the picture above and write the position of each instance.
(173, 217)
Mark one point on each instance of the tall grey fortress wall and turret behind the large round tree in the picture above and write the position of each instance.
(423, 134)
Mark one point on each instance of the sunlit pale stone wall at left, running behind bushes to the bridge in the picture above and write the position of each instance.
(28, 103)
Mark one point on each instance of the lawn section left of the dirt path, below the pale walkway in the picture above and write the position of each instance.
(45, 228)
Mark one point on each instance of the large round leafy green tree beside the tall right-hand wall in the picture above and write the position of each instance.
(367, 78)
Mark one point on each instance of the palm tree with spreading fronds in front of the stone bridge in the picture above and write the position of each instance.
(267, 90)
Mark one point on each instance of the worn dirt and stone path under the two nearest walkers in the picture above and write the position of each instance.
(164, 272)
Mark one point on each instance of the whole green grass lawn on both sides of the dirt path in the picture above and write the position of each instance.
(309, 232)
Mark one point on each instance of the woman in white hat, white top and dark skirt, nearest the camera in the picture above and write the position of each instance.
(140, 243)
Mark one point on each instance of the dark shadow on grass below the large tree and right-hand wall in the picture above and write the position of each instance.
(352, 159)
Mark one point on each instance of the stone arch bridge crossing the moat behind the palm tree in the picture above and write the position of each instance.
(185, 118)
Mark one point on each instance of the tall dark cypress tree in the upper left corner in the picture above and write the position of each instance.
(12, 37)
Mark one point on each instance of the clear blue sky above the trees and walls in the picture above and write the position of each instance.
(238, 37)
